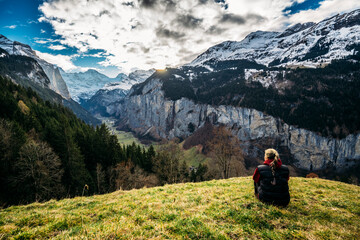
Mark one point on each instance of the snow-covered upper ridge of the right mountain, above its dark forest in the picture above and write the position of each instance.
(309, 44)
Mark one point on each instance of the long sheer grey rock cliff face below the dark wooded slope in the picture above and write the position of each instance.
(150, 113)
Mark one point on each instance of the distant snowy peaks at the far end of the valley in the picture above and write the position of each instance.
(84, 85)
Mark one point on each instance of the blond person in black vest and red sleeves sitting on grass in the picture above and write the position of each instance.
(271, 180)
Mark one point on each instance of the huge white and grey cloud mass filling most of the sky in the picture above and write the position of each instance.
(160, 33)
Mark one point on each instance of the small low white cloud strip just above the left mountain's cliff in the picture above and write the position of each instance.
(63, 61)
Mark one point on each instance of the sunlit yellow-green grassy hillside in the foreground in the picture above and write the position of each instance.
(223, 209)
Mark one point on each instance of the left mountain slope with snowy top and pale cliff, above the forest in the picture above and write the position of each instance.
(26, 69)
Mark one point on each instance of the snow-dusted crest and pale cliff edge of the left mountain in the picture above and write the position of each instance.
(57, 83)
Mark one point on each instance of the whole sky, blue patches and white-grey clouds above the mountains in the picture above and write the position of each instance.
(114, 36)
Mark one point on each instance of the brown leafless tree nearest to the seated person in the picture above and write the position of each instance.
(226, 152)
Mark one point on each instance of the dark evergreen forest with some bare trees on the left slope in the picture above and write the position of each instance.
(46, 152)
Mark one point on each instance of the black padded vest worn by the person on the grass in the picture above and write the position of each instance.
(270, 191)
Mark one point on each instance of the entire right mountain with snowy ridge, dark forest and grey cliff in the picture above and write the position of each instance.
(295, 90)
